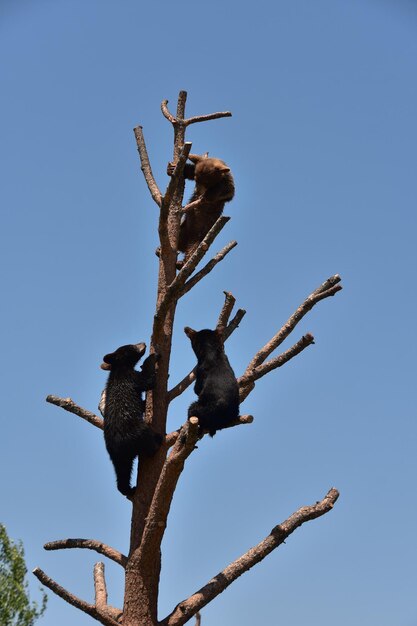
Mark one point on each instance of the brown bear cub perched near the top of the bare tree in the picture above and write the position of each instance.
(214, 186)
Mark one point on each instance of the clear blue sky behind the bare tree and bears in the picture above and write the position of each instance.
(322, 144)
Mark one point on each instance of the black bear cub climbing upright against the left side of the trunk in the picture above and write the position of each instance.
(125, 433)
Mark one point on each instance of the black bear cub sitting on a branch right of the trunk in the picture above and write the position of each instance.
(216, 386)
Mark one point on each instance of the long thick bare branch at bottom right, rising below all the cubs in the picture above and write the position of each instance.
(186, 609)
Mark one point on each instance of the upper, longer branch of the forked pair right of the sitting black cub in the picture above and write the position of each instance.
(328, 288)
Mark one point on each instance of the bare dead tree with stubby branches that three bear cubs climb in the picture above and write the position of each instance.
(158, 476)
